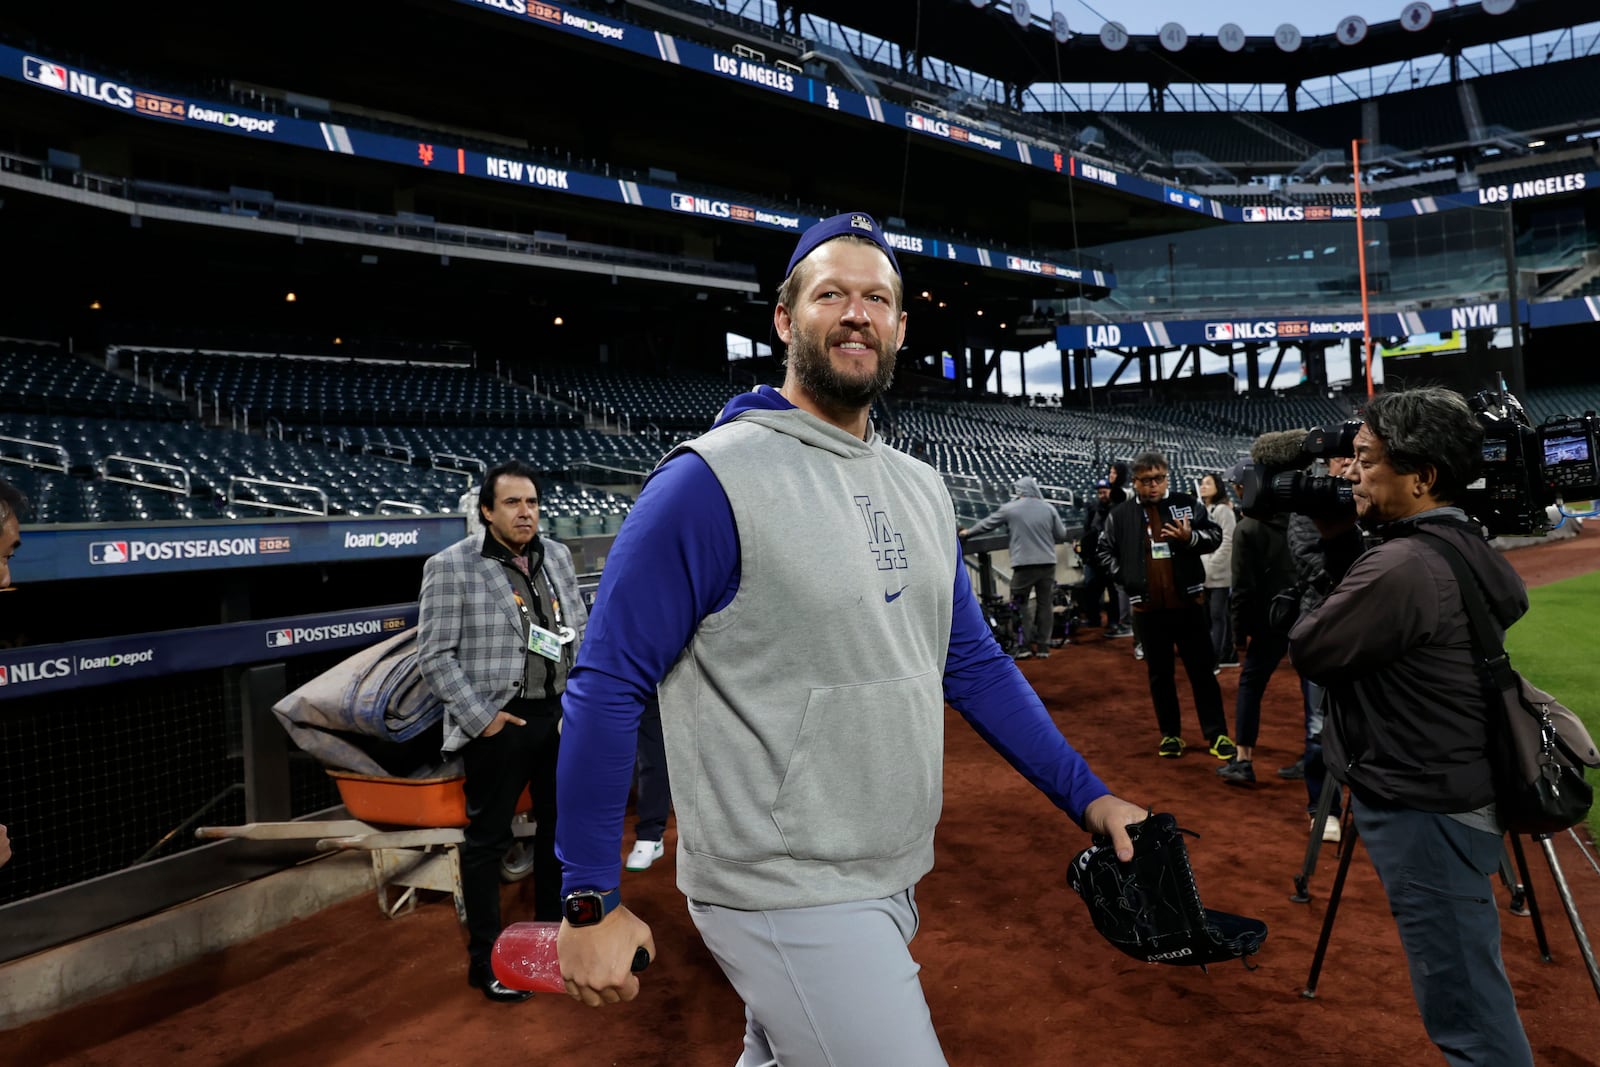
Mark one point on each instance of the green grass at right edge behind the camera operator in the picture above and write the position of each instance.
(1558, 647)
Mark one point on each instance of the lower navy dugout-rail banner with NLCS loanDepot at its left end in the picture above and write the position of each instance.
(102, 661)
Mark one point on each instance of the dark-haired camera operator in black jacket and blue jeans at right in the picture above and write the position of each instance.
(1391, 647)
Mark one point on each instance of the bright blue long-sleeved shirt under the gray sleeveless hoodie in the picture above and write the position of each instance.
(676, 562)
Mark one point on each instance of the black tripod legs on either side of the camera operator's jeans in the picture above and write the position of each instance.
(1522, 898)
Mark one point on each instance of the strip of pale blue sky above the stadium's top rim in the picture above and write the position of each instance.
(1202, 18)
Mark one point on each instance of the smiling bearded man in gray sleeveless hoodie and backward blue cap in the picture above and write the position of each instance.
(802, 687)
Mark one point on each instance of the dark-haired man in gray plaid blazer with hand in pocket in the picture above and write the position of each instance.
(500, 625)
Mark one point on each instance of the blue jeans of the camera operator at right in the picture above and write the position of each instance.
(1438, 873)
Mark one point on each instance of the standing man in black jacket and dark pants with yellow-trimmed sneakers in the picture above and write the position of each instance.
(1153, 548)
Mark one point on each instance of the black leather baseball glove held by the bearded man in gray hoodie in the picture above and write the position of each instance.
(1151, 909)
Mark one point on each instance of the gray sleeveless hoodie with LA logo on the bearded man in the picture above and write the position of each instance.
(806, 721)
